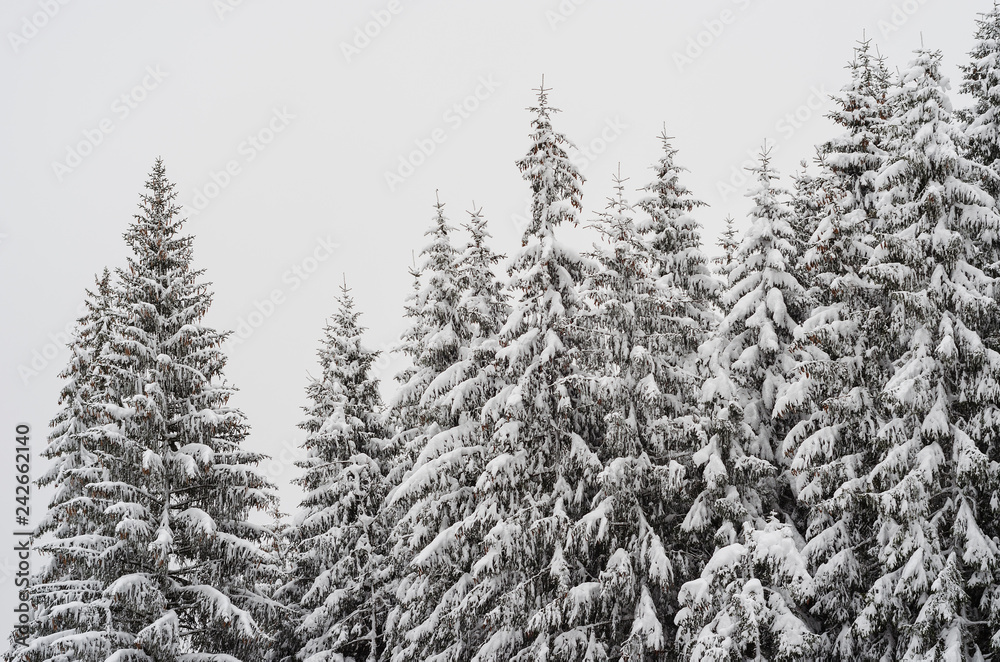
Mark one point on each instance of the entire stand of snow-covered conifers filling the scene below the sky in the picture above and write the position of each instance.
(788, 453)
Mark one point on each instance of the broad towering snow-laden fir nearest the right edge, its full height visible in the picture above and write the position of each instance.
(934, 482)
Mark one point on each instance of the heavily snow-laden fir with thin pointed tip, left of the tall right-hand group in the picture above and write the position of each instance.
(748, 601)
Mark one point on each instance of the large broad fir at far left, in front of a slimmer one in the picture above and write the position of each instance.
(172, 565)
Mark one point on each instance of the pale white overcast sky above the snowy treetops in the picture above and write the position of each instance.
(310, 113)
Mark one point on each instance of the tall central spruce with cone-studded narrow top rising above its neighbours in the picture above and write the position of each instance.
(539, 451)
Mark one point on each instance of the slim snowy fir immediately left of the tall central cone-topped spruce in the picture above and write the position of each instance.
(432, 619)
